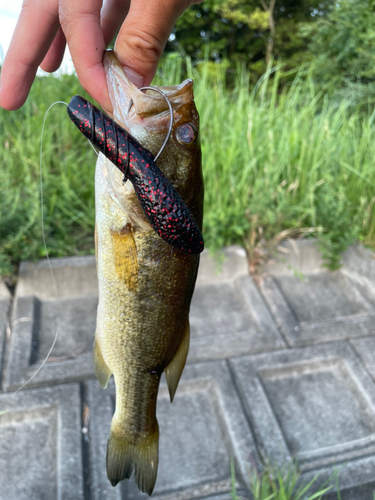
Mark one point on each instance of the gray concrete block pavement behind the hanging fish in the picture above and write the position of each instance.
(279, 367)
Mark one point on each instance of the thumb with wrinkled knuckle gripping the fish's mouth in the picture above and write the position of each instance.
(144, 34)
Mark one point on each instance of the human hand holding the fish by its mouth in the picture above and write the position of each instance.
(45, 26)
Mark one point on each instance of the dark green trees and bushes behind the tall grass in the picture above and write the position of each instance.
(338, 36)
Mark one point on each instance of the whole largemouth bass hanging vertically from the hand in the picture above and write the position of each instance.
(145, 285)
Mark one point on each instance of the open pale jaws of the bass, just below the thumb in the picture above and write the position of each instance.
(146, 105)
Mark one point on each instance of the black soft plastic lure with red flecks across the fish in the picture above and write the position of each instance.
(163, 206)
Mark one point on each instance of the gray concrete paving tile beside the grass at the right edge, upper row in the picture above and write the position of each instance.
(312, 305)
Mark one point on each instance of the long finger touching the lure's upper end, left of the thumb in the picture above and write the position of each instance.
(80, 22)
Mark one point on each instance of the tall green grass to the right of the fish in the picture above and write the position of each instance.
(281, 161)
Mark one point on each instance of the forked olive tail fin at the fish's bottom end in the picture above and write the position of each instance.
(142, 455)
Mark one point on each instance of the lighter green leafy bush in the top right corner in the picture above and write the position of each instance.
(343, 42)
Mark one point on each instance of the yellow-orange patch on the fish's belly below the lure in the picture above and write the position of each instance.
(125, 257)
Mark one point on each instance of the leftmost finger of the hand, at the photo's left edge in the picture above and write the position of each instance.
(34, 33)
